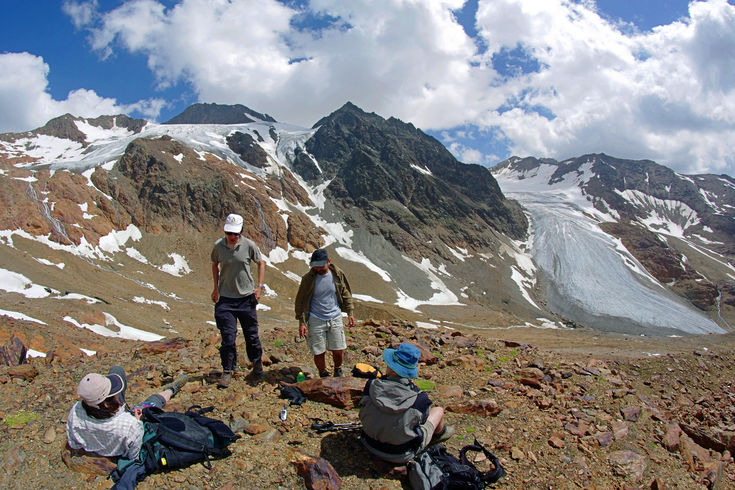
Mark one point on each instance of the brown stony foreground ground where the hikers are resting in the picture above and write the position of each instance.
(560, 409)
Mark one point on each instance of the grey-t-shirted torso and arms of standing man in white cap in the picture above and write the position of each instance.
(235, 278)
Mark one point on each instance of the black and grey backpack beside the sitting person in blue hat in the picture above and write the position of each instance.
(434, 469)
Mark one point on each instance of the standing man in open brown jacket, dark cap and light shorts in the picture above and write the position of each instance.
(323, 295)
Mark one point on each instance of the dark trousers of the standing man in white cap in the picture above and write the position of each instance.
(227, 312)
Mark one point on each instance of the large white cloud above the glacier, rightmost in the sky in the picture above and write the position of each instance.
(658, 95)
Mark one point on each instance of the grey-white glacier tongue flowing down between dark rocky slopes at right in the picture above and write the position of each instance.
(588, 275)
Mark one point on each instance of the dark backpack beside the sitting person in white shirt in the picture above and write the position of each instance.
(175, 440)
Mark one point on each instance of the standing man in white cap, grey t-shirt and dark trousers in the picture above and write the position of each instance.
(236, 296)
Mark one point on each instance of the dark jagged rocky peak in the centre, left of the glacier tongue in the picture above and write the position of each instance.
(407, 184)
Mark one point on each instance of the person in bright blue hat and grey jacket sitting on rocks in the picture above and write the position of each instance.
(397, 422)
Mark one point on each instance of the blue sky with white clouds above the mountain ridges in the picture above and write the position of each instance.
(652, 79)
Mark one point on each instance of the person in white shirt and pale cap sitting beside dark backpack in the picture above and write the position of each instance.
(101, 423)
